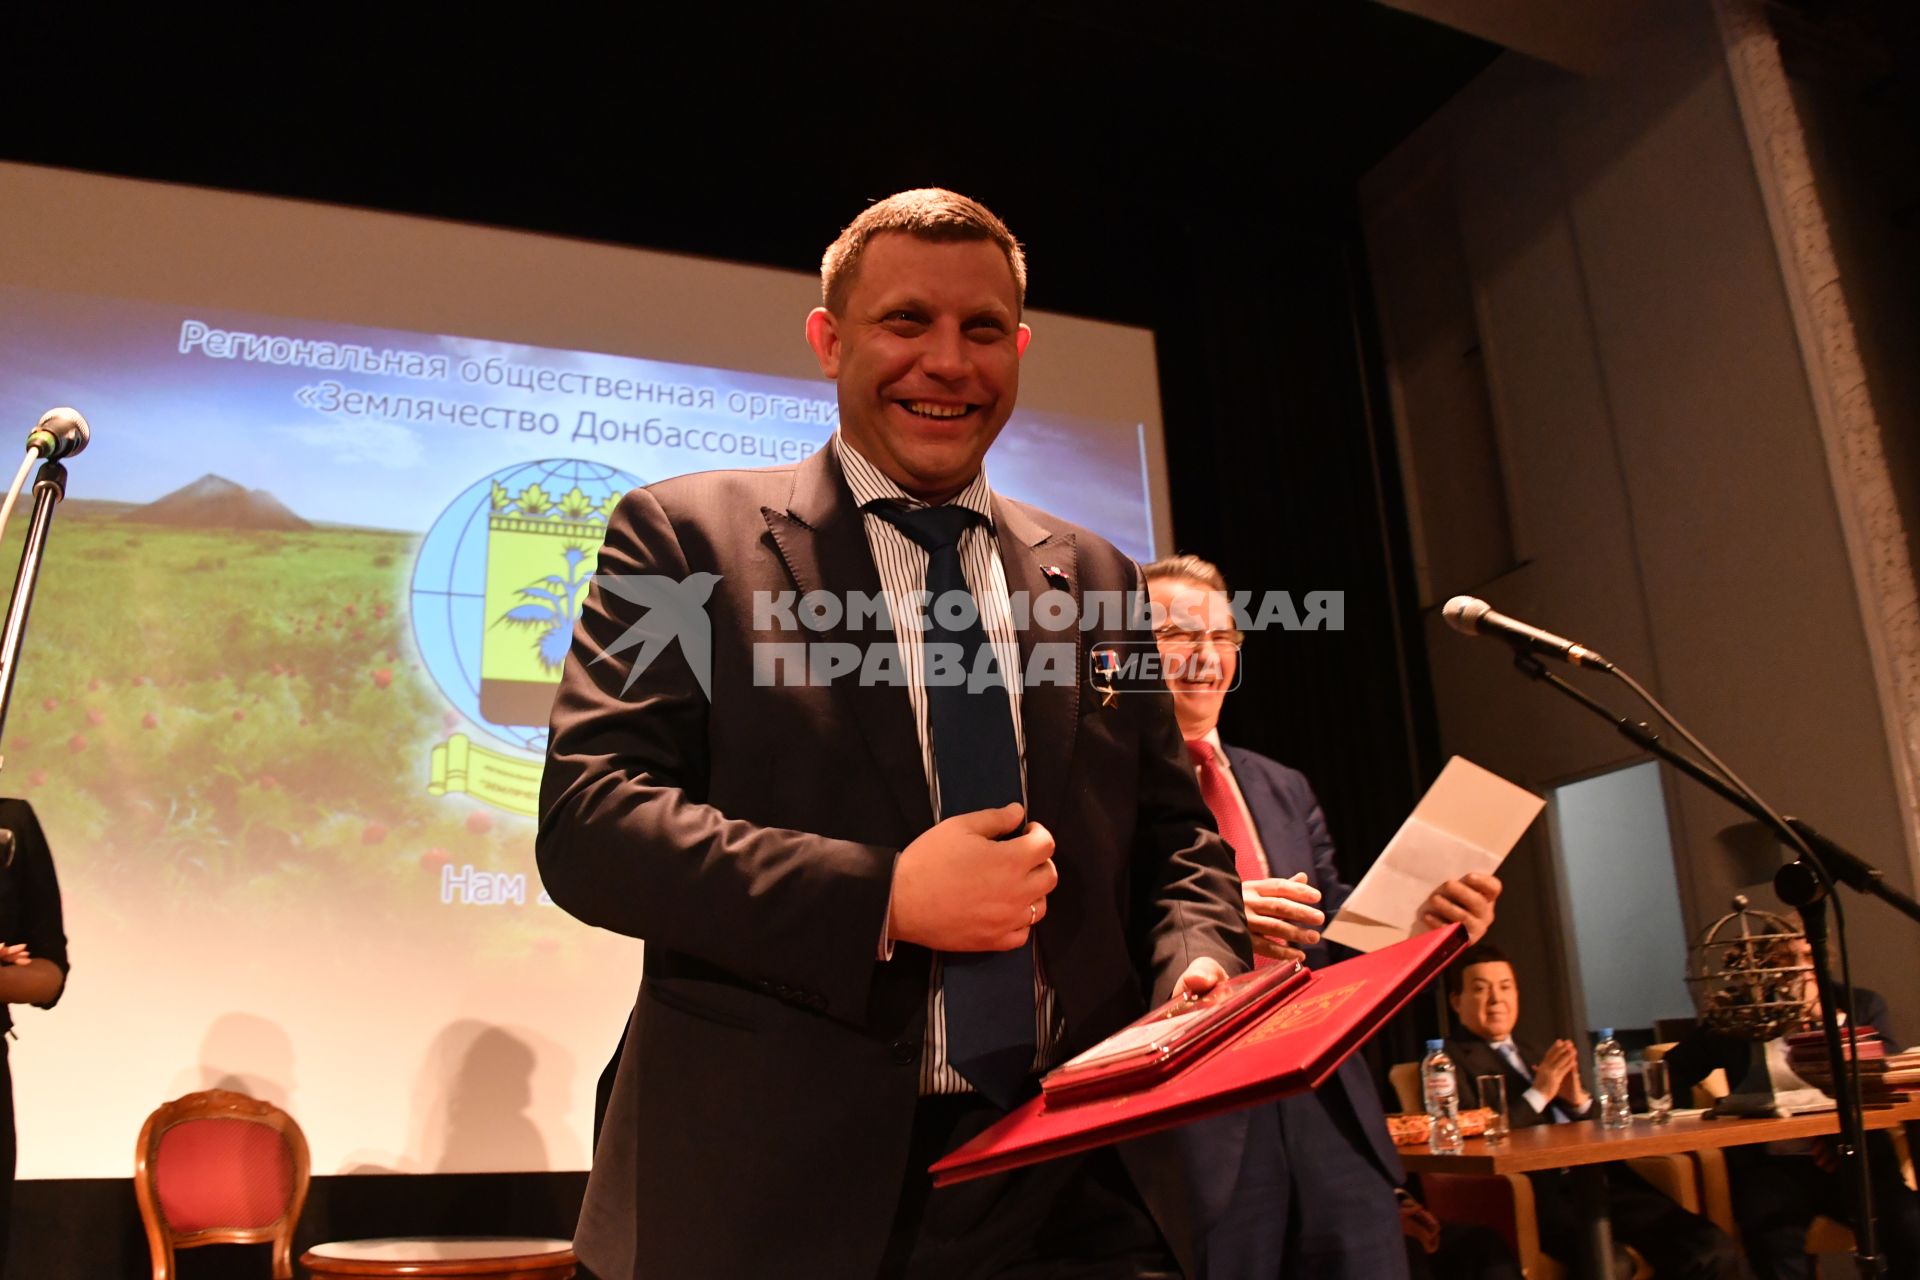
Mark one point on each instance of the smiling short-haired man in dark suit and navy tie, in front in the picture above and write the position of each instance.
(876, 909)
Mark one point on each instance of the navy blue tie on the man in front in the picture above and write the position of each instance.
(976, 759)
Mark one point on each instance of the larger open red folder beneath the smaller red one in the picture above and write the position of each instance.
(1289, 1051)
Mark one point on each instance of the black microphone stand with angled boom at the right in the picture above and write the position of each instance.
(1804, 884)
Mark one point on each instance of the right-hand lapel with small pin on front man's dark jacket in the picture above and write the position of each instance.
(1049, 711)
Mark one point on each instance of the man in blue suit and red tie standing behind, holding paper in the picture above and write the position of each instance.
(1303, 1189)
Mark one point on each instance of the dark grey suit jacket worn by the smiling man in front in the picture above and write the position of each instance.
(761, 1112)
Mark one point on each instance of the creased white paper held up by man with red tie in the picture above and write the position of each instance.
(1470, 820)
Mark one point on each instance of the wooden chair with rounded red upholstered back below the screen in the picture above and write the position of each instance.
(220, 1168)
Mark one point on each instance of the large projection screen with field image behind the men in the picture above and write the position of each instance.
(283, 699)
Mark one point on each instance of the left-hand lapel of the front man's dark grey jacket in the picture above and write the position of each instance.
(823, 540)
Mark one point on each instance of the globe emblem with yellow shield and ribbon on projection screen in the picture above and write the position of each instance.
(498, 586)
